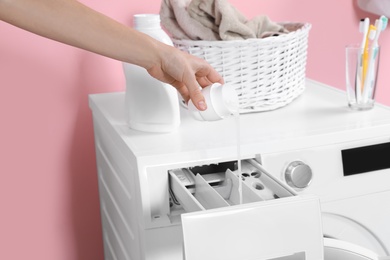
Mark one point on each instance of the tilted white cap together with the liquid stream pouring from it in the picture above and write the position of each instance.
(222, 101)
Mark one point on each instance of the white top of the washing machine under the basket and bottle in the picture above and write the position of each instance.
(320, 116)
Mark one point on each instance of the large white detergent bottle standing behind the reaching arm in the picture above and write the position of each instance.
(151, 105)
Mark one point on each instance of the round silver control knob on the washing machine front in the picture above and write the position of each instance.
(298, 175)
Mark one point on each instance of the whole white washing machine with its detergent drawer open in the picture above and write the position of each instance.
(315, 183)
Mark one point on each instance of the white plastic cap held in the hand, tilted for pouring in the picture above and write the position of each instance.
(221, 100)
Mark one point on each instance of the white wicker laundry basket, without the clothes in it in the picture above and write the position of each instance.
(267, 73)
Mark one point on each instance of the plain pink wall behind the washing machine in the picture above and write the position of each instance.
(48, 189)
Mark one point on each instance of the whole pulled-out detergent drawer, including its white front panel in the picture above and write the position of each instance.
(267, 222)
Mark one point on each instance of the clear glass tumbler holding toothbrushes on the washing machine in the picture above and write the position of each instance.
(361, 75)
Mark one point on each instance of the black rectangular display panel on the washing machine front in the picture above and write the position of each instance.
(366, 159)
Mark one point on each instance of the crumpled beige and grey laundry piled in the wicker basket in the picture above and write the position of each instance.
(213, 20)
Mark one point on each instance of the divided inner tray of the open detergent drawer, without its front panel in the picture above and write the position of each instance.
(201, 188)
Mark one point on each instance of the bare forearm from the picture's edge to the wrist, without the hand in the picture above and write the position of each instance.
(72, 23)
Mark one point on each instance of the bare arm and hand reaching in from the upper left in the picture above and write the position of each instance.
(72, 23)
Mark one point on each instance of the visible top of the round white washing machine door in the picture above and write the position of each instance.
(335, 249)
